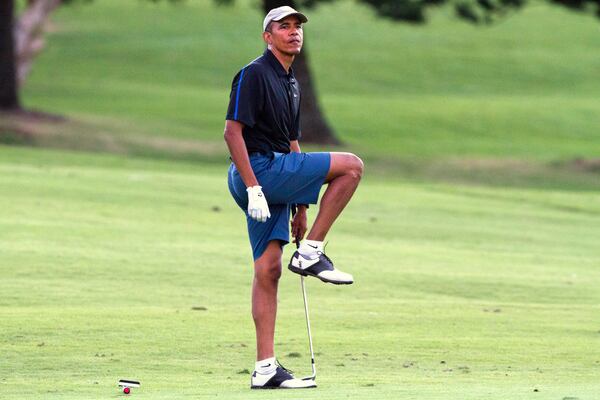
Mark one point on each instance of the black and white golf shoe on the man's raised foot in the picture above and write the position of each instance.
(320, 266)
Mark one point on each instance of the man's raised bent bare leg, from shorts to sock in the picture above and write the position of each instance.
(345, 171)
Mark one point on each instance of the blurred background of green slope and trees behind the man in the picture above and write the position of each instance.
(439, 89)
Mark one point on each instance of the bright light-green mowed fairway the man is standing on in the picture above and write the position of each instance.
(119, 268)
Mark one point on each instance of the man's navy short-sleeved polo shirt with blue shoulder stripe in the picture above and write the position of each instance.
(266, 99)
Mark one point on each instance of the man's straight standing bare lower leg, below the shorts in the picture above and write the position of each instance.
(267, 270)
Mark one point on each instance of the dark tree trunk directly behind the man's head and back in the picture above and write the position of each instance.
(315, 128)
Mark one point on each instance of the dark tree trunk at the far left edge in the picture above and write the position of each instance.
(9, 99)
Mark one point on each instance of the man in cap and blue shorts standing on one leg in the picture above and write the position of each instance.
(269, 174)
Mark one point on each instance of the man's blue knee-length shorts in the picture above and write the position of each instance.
(294, 178)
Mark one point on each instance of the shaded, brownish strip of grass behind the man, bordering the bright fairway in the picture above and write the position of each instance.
(37, 130)
